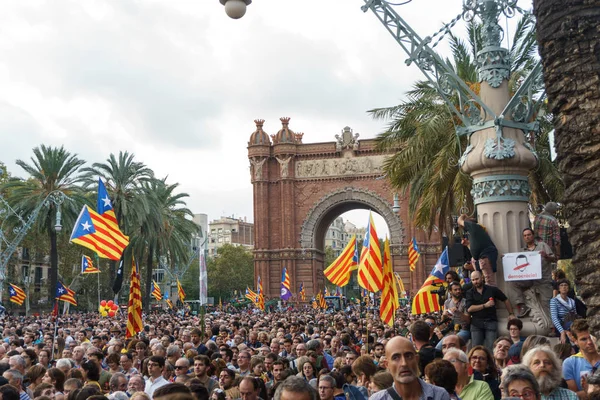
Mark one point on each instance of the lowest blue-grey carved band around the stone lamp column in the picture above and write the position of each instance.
(500, 188)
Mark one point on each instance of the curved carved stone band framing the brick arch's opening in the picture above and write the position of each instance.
(334, 199)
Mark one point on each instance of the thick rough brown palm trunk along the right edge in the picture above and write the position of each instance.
(570, 48)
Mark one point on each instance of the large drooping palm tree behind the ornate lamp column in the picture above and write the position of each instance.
(422, 132)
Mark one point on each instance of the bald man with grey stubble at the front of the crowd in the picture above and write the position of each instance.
(403, 364)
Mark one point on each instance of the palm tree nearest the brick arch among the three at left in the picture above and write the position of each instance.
(167, 231)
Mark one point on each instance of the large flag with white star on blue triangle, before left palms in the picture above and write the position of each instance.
(92, 231)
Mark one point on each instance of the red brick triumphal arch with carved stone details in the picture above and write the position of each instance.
(300, 188)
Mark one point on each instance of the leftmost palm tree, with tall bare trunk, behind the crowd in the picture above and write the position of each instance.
(52, 169)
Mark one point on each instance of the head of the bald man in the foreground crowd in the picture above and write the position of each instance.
(403, 361)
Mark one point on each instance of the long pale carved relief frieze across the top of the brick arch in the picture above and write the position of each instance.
(340, 167)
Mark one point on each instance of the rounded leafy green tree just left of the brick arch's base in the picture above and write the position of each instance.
(231, 269)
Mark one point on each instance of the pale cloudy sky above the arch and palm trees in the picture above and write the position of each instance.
(178, 83)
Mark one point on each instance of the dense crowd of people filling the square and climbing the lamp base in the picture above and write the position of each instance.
(306, 354)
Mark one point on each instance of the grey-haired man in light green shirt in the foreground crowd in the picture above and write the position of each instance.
(467, 387)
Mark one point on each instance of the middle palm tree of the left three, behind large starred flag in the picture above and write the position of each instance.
(123, 177)
